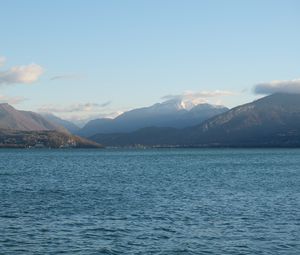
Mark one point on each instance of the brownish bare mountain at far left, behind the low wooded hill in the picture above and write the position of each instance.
(12, 119)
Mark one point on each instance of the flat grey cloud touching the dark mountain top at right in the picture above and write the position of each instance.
(285, 86)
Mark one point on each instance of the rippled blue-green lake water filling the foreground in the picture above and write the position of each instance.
(166, 201)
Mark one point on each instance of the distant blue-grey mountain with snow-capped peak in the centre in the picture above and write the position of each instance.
(172, 113)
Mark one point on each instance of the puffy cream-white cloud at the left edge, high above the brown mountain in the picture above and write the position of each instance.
(21, 74)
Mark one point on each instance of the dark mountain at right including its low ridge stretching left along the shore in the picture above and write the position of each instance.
(271, 121)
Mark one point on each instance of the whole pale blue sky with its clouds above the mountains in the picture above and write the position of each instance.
(87, 58)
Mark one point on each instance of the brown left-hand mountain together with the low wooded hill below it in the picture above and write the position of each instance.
(25, 129)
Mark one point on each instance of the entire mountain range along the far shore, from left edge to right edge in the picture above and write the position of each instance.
(272, 121)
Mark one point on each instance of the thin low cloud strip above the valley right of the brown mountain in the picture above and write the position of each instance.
(87, 107)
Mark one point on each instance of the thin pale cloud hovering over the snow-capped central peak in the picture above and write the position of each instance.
(198, 97)
